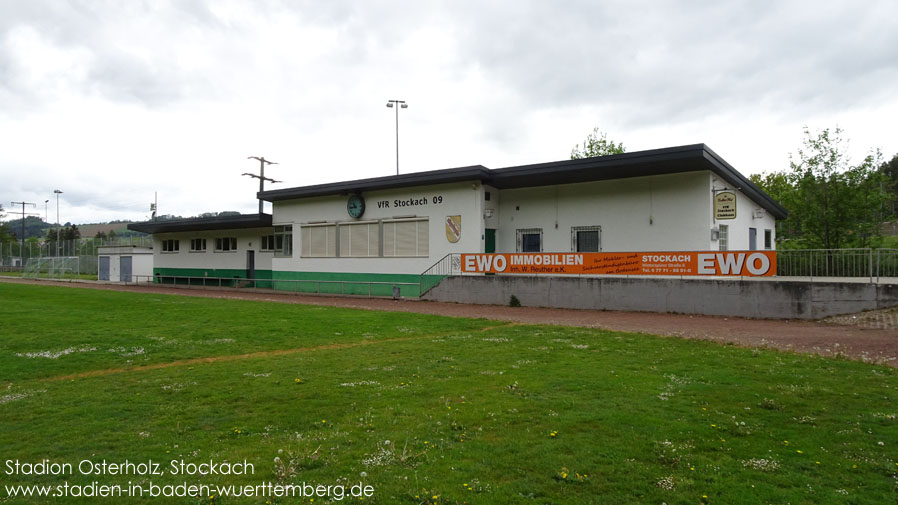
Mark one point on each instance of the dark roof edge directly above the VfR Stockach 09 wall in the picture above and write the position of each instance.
(445, 176)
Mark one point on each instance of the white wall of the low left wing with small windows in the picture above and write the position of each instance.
(247, 239)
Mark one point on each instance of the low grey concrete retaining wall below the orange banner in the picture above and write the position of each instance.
(775, 299)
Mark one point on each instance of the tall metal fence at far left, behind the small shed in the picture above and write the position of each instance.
(13, 256)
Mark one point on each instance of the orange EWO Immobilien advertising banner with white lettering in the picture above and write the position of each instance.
(733, 263)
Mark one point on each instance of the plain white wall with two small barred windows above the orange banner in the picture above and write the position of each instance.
(654, 213)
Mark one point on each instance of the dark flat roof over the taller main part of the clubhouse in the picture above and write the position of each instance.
(670, 160)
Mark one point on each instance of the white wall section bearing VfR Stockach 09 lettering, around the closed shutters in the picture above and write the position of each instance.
(462, 199)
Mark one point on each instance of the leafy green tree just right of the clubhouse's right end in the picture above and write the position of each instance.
(832, 204)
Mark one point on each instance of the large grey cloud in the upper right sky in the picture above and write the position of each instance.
(674, 63)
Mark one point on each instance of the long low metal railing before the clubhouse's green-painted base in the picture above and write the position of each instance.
(304, 286)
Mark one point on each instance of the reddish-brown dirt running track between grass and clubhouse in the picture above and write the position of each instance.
(870, 337)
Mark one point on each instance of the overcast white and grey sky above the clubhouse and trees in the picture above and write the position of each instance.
(111, 101)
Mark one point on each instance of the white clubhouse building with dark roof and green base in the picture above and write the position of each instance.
(392, 229)
